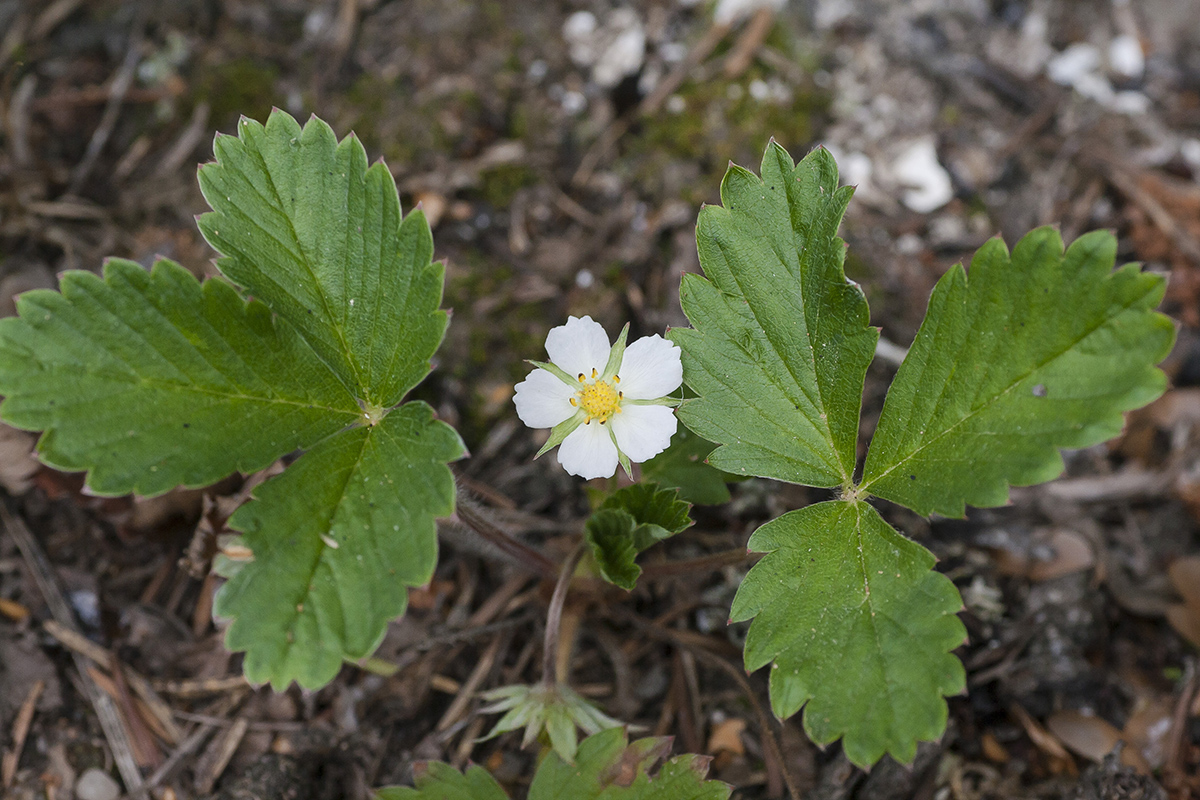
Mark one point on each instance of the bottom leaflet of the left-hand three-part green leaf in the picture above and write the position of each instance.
(338, 539)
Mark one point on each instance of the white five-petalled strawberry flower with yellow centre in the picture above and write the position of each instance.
(607, 404)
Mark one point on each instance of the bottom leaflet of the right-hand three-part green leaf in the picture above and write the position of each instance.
(860, 629)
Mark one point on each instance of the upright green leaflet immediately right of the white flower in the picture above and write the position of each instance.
(781, 341)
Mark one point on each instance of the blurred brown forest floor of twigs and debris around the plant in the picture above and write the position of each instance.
(562, 152)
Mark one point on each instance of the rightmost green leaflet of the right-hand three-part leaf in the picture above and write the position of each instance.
(1034, 352)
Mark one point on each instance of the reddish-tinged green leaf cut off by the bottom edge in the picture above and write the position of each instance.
(608, 768)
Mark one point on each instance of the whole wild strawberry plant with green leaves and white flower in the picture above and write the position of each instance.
(327, 316)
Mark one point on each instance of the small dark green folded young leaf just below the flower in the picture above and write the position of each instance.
(628, 522)
